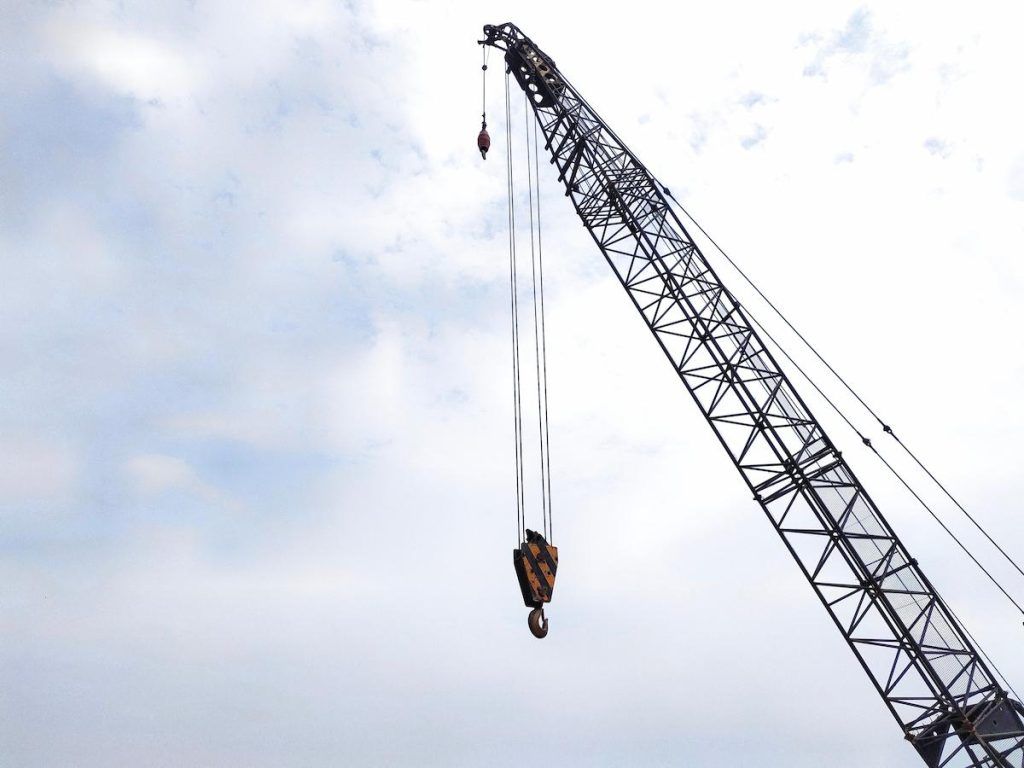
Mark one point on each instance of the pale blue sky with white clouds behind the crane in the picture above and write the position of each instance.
(257, 497)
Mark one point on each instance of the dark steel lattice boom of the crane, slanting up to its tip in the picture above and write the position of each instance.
(921, 660)
